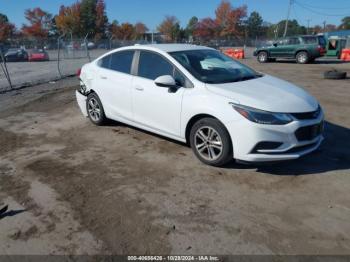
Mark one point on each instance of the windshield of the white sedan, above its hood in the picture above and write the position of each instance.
(211, 66)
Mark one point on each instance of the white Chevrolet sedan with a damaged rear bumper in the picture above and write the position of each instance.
(197, 95)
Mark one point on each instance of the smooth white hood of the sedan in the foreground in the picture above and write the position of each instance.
(267, 93)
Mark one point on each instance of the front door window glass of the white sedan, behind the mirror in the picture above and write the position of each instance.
(152, 65)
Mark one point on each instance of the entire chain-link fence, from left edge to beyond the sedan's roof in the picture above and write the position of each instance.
(28, 62)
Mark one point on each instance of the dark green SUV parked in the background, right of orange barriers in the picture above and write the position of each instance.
(303, 49)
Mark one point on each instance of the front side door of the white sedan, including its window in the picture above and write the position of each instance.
(155, 106)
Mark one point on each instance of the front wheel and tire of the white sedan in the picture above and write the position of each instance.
(214, 151)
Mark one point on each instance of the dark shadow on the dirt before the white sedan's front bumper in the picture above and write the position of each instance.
(334, 154)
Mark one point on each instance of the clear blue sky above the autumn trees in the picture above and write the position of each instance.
(151, 12)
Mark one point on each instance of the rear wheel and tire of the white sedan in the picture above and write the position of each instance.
(95, 110)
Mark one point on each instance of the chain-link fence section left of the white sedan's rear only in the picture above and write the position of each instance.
(25, 62)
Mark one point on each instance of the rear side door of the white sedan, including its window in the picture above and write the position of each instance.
(115, 82)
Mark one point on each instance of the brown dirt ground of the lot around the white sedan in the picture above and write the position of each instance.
(74, 188)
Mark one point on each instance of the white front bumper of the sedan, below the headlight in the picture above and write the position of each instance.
(247, 135)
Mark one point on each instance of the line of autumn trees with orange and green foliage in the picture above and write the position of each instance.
(88, 18)
